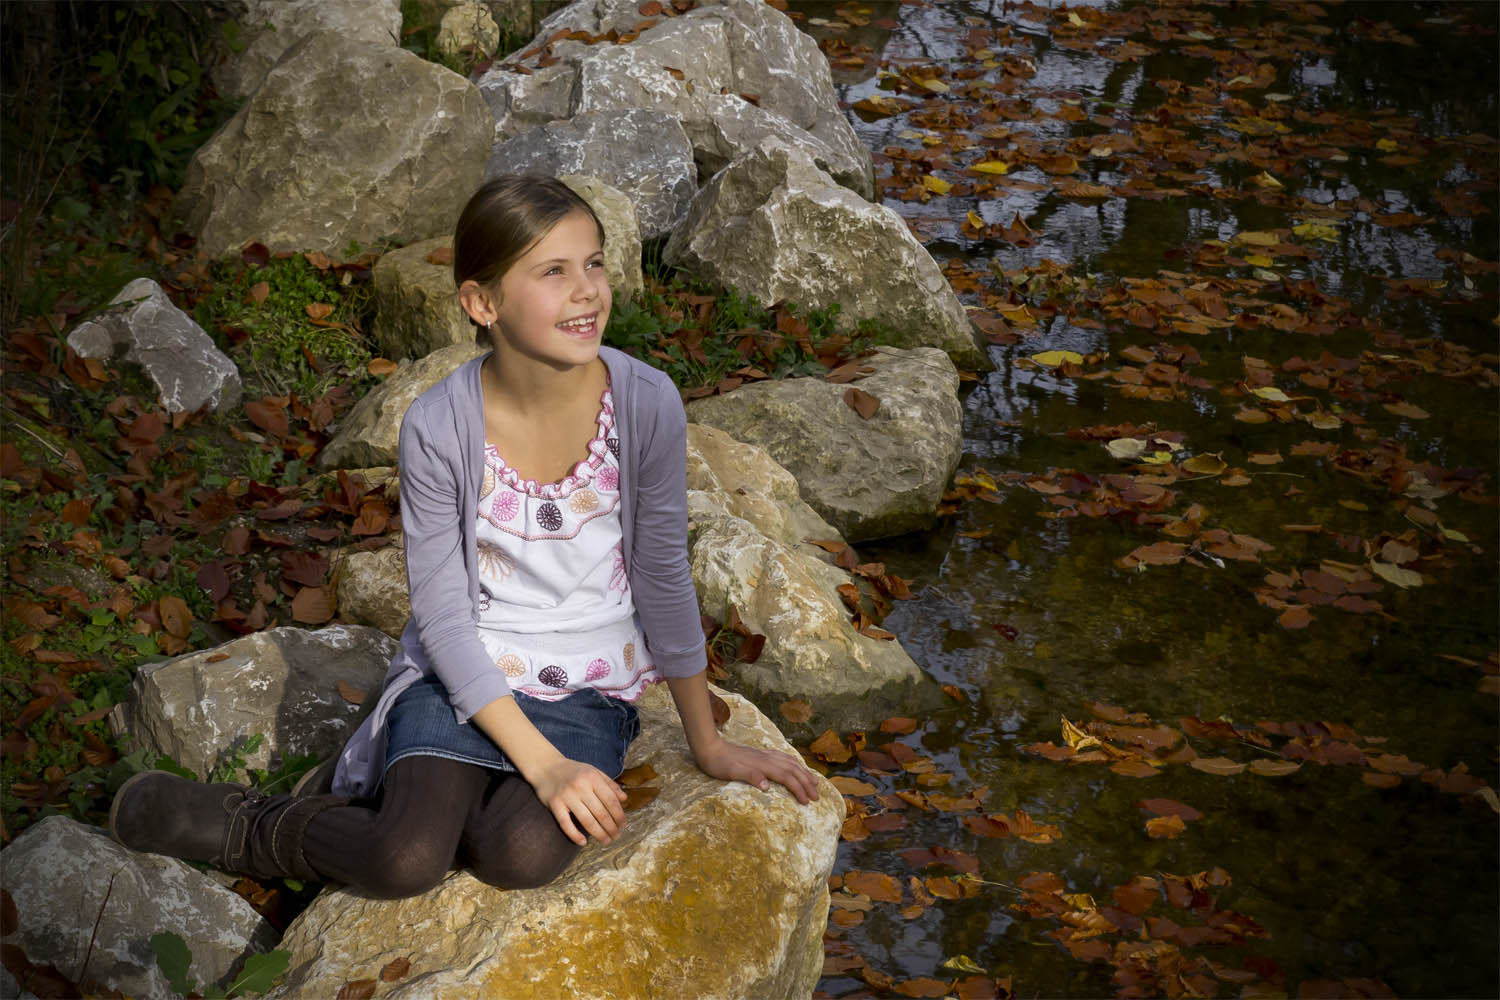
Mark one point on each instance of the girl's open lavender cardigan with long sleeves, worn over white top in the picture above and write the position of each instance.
(442, 461)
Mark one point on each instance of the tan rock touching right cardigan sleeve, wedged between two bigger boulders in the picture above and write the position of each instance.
(746, 482)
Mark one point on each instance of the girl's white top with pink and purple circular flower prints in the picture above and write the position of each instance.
(556, 611)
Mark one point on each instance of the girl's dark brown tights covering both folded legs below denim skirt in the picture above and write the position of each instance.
(431, 815)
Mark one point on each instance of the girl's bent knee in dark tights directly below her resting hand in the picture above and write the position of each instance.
(512, 840)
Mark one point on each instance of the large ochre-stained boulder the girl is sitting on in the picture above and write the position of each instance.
(713, 891)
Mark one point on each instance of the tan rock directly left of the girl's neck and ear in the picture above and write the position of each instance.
(416, 305)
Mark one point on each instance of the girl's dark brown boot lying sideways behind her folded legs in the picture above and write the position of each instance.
(227, 825)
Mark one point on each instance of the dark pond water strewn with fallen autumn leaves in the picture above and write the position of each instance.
(1270, 232)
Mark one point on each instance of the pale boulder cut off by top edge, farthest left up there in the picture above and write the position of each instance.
(269, 28)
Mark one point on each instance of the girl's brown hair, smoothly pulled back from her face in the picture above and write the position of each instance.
(505, 220)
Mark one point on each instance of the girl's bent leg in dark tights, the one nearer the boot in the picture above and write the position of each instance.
(409, 842)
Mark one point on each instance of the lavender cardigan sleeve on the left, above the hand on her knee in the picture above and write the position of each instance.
(437, 575)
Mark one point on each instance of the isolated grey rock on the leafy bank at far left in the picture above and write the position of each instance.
(146, 329)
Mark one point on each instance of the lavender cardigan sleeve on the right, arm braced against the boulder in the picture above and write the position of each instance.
(661, 576)
